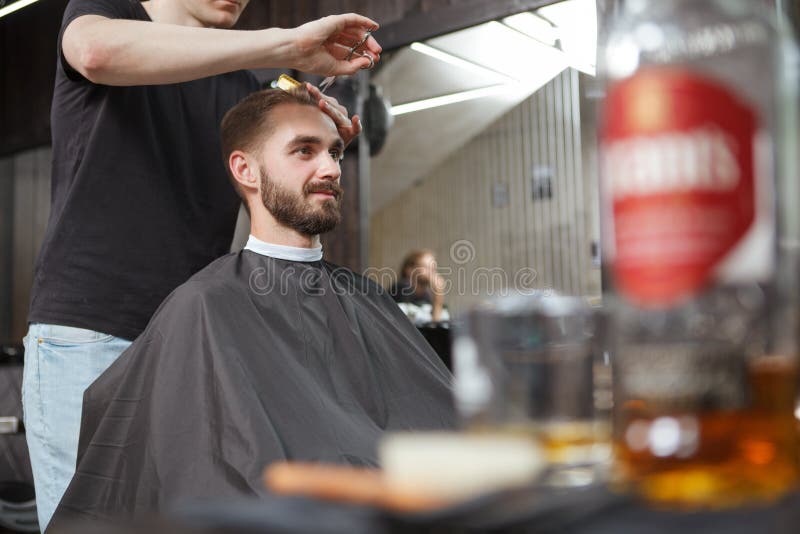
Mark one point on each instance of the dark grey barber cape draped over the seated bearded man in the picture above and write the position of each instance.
(253, 360)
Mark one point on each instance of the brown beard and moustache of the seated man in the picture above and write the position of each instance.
(296, 211)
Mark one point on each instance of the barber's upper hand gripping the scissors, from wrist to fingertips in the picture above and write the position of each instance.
(322, 45)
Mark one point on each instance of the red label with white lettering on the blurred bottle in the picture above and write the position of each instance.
(678, 172)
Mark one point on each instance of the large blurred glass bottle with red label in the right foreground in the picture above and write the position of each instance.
(699, 181)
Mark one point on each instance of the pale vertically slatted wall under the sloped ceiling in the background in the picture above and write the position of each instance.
(488, 245)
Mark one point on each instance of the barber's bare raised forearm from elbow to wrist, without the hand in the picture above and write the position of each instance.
(127, 52)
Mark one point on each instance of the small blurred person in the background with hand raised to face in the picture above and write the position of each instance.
(420, 289)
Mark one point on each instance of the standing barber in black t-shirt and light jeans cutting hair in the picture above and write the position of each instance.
(140, 198)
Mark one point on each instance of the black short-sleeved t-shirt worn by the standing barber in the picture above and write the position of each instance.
(140, 196)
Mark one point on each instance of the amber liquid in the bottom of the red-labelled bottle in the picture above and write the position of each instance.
(733, 457)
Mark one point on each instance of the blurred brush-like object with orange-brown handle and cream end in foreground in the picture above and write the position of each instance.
(421, 471)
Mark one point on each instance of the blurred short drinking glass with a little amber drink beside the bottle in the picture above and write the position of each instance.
(525, 366)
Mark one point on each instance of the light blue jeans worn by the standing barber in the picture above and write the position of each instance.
(60, 363)
